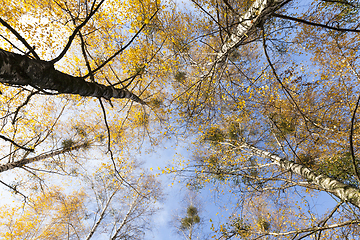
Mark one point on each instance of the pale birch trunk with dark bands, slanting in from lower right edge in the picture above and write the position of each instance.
(343, 191)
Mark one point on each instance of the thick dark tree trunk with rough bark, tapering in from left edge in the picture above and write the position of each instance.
(16, 70)
